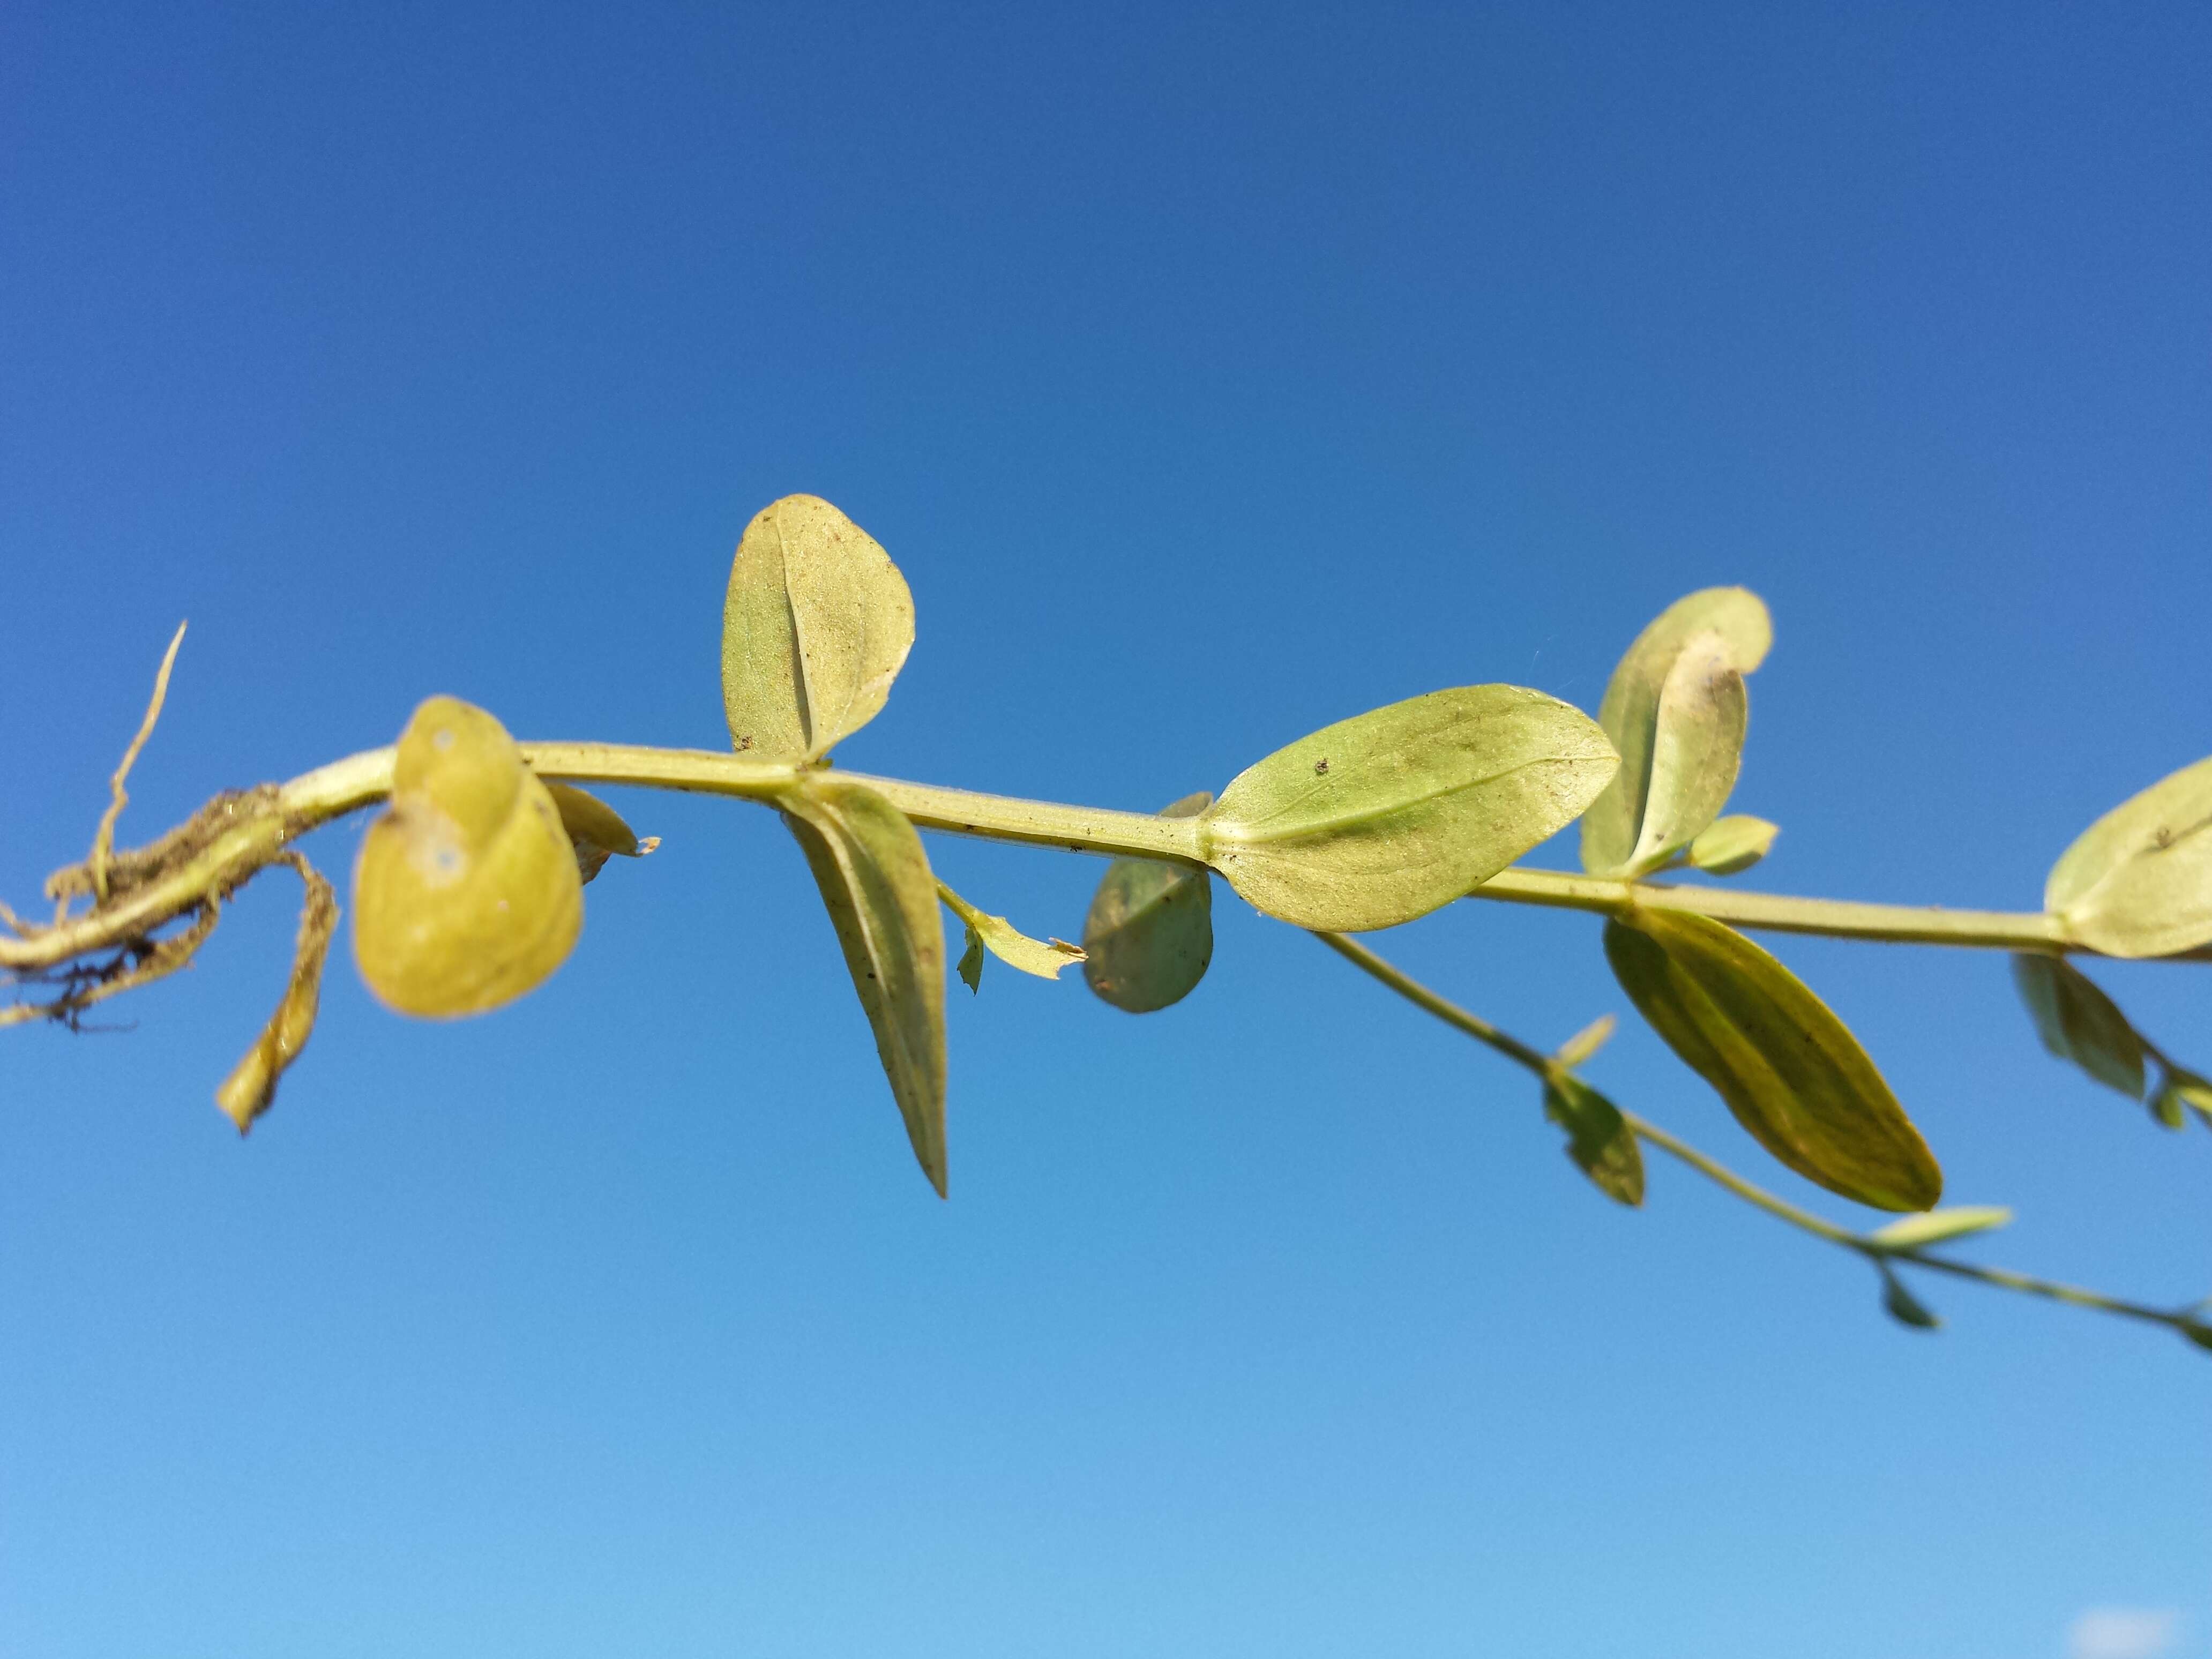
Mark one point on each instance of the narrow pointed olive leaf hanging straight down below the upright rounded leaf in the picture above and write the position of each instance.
(884, 906)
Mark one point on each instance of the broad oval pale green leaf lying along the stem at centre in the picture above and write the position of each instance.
(1384, 817)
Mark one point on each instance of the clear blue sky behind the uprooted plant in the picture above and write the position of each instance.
(1213, 375)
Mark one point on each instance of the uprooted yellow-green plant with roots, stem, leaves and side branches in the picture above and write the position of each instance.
(468, 890)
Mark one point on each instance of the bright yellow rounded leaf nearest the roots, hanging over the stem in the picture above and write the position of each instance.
(468, 890)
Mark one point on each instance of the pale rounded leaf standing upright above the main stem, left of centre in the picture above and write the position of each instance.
(813, 634)
